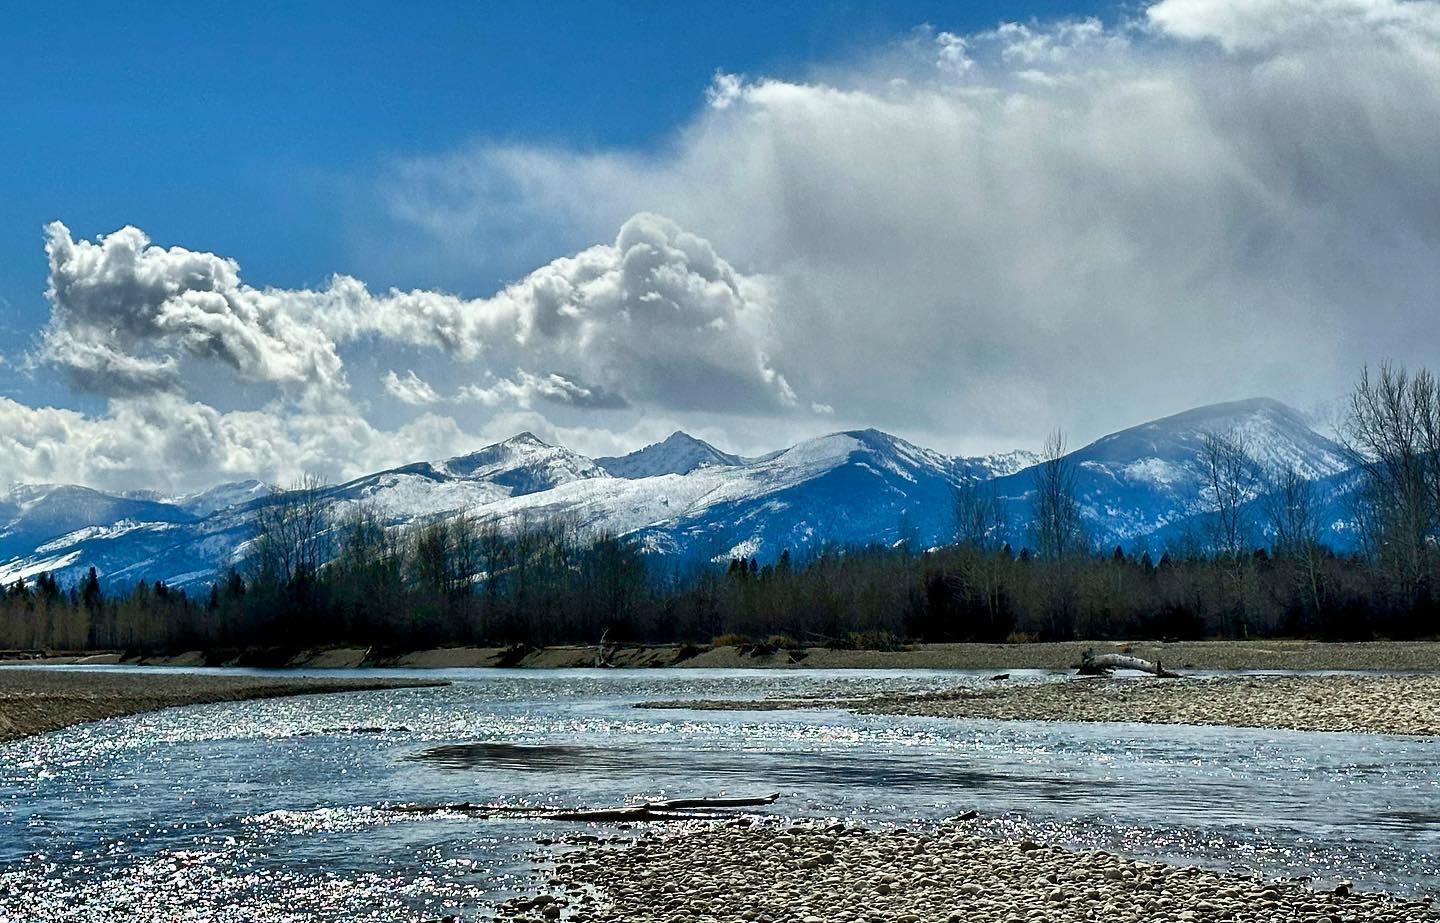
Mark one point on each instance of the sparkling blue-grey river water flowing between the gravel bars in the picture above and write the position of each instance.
(271, 811)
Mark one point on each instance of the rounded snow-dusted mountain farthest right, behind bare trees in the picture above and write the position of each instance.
(1148, 477)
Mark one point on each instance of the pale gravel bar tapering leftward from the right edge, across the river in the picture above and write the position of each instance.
(1389, 705)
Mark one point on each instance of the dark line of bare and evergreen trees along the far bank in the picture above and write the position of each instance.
(1262, 569)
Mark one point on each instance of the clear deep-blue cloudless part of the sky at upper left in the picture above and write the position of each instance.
(246, 130)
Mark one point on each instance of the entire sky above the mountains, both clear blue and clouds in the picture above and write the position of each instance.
(260, 243)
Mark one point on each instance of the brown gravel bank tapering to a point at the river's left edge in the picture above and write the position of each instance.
(34, 702)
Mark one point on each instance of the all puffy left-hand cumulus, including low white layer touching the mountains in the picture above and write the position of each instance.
(654, 322)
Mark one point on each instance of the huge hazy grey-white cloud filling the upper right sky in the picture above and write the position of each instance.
(973, 238)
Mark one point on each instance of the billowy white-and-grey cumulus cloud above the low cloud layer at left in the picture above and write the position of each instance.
(657, 318)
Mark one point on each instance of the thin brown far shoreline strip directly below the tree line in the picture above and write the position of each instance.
(1225, 656)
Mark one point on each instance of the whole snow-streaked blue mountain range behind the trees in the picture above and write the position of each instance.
(686, 499)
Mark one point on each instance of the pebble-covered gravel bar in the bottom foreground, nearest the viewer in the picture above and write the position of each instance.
(850, 875)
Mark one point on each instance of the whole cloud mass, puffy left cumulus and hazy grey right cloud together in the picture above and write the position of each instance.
(963, 238)
